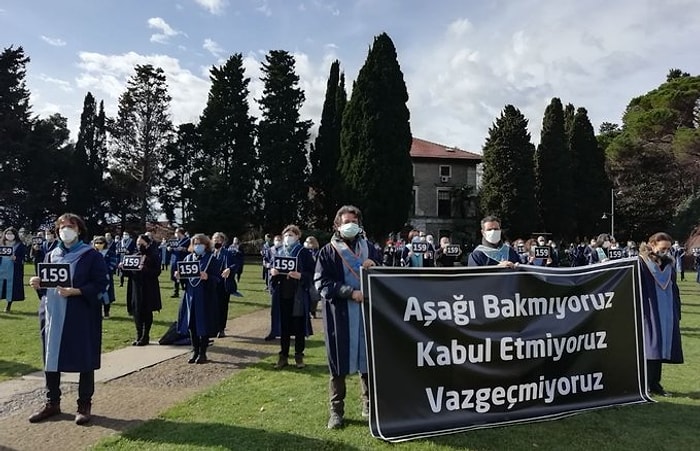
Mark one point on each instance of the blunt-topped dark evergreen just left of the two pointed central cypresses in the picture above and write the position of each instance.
(282, 137)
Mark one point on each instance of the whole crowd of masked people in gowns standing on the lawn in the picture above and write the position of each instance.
(299, 275)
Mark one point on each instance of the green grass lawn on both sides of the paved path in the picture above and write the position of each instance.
(259, 408)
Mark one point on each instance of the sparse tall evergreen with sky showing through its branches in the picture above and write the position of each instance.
(141, 132)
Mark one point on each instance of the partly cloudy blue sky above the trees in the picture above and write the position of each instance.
(463, 60)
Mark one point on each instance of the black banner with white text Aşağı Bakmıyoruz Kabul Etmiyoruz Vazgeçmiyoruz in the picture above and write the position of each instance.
(453, 349)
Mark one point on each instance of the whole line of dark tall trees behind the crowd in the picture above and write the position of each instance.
(237, 173)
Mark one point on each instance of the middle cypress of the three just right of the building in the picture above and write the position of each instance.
(553, 186)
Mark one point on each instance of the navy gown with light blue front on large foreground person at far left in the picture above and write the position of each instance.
(72, 329)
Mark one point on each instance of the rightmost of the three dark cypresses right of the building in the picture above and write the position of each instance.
(591, 185)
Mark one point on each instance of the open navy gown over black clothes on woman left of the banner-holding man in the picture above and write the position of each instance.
(306, 267)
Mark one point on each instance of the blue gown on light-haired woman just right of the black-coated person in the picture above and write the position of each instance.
(200, 298)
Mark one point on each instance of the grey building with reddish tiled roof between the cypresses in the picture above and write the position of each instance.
(444, 191)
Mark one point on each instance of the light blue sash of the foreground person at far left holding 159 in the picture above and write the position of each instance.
(57, 305)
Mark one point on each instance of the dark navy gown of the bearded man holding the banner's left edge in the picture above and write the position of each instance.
(329, 277)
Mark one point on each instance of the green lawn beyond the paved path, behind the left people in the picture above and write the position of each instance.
(20, 352)
